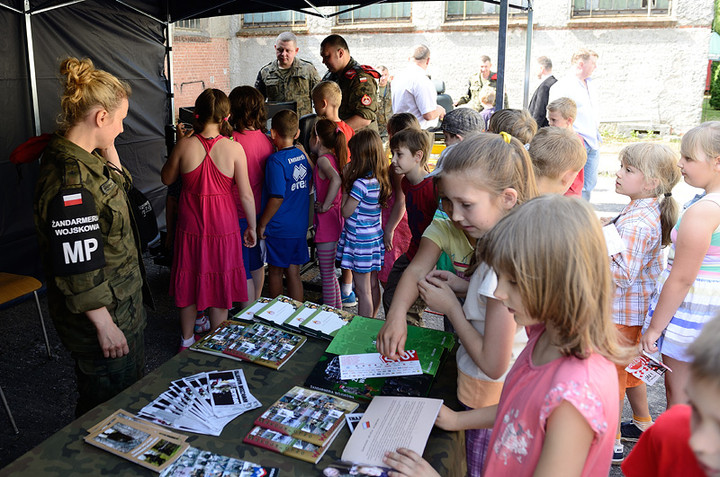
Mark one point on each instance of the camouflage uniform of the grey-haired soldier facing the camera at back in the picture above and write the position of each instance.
(294, 84)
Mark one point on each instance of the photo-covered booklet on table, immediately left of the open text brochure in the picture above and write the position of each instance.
(311, 416)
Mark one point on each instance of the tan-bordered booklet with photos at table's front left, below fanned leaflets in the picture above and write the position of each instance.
(140, 442)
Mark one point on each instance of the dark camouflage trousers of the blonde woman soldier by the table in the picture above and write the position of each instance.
(100, 378)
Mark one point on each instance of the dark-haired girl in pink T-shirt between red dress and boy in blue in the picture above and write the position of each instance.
(249, 119)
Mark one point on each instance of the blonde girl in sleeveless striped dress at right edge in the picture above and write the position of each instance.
(688, 290)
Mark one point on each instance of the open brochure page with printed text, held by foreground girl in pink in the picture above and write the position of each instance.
(391, 422)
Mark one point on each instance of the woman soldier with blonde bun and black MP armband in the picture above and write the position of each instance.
(88, 238)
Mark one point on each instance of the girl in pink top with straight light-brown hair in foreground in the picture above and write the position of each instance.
(558, 408)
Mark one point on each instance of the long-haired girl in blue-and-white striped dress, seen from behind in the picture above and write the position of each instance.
(366, 188)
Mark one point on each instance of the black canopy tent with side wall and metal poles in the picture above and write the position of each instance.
(133, 40)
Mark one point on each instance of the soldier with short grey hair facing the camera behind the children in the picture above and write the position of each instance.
(288, 78)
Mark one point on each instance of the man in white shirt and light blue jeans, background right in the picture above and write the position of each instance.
(579, 87)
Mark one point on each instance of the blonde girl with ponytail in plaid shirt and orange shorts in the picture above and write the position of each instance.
(647, 174)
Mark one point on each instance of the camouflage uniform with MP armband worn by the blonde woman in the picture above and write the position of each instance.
(89, 246)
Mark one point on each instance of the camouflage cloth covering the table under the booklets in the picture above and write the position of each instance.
(65, 453)
